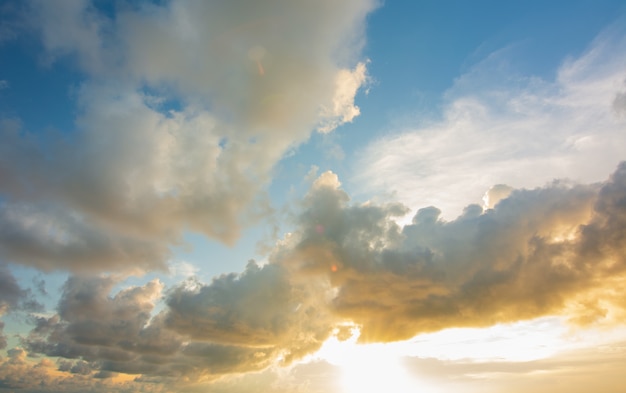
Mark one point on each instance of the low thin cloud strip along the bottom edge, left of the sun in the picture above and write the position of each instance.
(19, 371)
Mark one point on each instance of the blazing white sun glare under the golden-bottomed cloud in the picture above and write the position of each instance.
(379, 367)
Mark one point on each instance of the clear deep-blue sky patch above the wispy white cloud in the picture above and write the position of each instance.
(418, 49)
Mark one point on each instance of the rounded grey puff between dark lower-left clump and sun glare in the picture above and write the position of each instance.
(259, 307)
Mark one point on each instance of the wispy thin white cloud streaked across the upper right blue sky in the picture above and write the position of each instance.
(498, 126)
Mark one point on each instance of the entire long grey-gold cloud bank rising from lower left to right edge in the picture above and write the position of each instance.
(554, 250)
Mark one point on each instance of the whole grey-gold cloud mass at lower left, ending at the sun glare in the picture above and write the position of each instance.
(235, 324)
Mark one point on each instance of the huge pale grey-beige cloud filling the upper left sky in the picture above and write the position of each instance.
(184, 110)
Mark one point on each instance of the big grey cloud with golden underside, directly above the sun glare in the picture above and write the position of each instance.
(544, 251)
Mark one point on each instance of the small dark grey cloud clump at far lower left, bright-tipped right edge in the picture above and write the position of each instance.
(93, 326)
